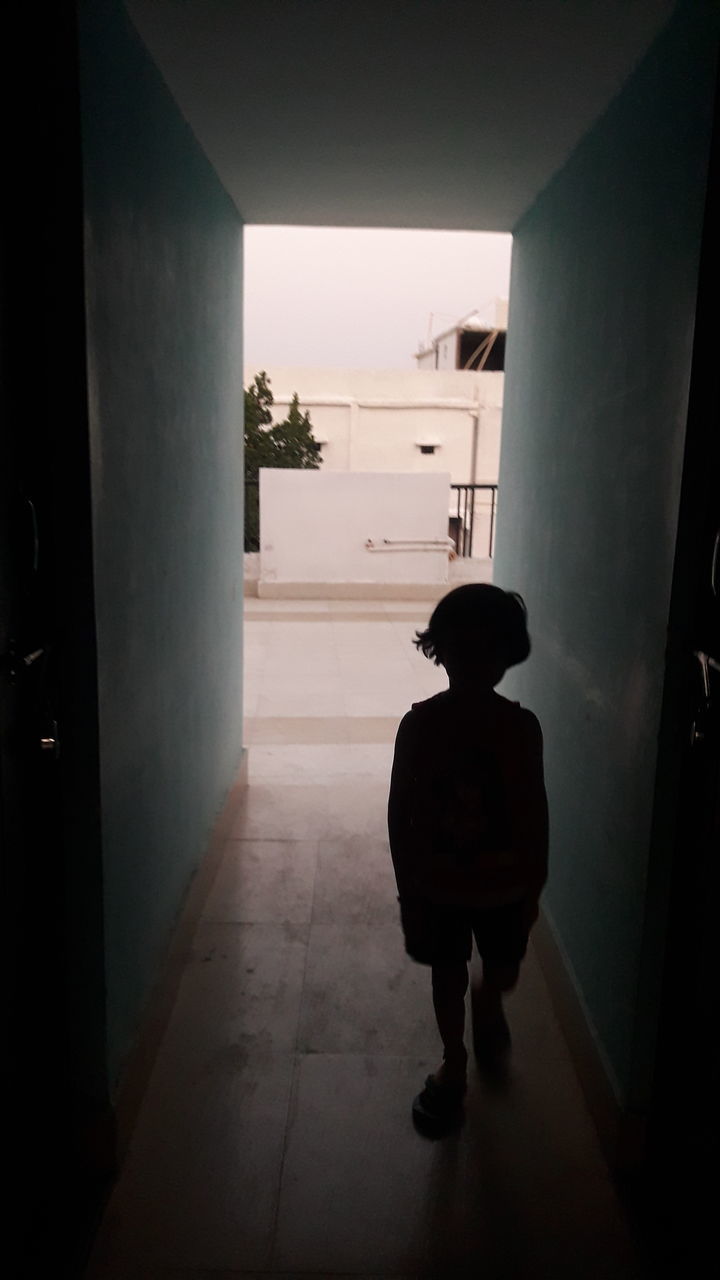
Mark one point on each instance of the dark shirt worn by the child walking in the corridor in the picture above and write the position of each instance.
(468, 810)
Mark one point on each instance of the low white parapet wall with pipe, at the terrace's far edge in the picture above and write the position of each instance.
(353, 534)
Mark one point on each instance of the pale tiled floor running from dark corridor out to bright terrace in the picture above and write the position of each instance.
(276, 1136)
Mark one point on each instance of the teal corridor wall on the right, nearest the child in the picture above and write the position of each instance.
(601, 327)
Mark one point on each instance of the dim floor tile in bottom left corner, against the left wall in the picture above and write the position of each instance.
(199, 1187)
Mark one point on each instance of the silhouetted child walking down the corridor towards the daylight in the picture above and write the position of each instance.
(468, 829)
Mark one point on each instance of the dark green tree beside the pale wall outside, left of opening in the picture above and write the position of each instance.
(284, 445)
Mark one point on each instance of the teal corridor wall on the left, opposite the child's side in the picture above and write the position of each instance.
(163, 272)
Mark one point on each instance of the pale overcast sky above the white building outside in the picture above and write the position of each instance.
(363, 299)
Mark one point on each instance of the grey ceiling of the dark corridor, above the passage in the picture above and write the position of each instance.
(394, 113)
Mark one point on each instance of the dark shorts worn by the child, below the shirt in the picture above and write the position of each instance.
(439, 935)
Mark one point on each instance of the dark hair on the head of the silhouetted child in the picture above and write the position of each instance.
(496, 618)
